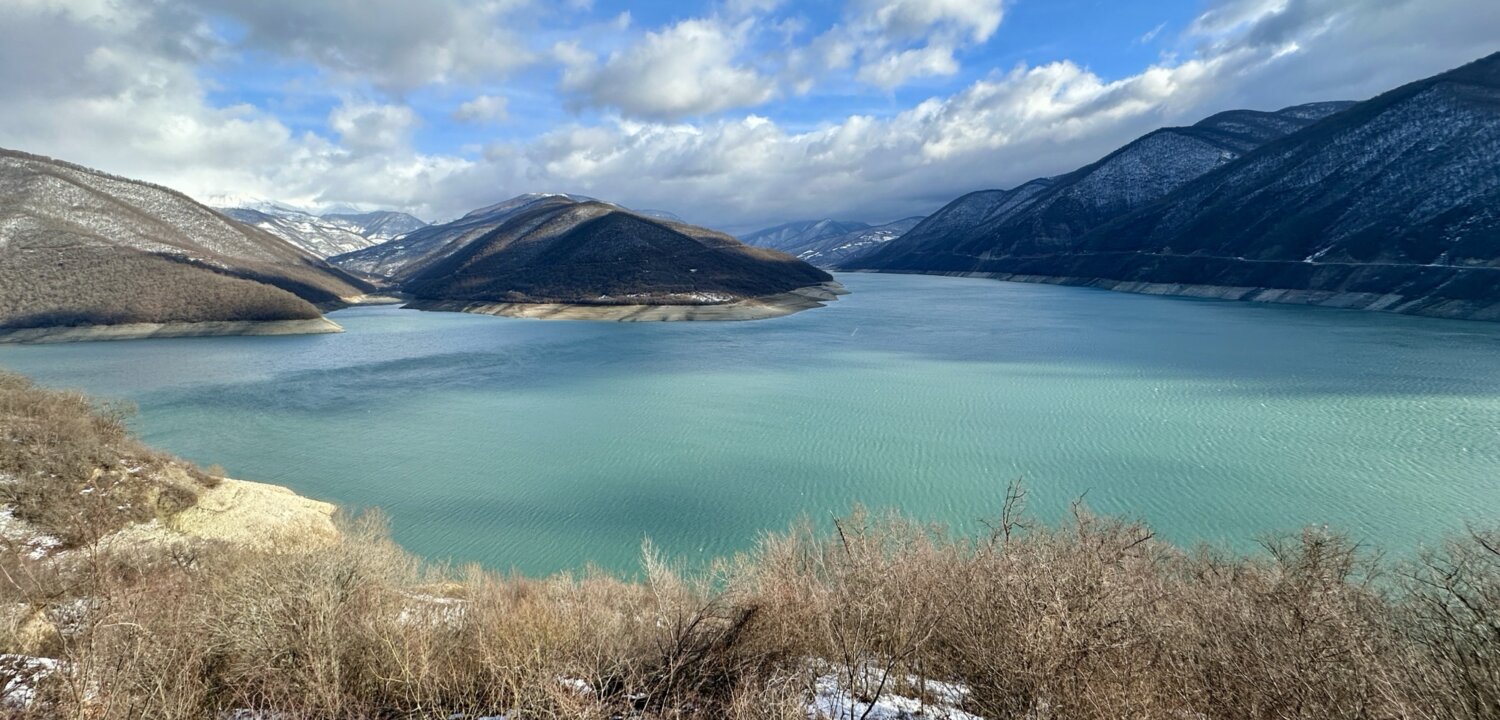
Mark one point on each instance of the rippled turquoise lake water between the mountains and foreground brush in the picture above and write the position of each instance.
(545, 446)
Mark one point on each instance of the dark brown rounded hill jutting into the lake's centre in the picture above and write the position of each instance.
(599, 254)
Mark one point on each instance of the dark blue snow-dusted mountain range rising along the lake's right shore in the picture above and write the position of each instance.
(1388, 205)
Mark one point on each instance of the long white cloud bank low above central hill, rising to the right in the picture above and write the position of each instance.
(1024, 124)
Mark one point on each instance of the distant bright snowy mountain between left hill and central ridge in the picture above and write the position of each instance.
(328, 235)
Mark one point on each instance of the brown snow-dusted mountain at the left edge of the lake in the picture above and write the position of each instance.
(85, 248)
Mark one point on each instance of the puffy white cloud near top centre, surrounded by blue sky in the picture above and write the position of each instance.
(691, 68)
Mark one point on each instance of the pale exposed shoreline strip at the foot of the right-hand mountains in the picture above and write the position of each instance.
(1369, 302)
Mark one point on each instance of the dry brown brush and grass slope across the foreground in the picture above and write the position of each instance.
(1094, 619)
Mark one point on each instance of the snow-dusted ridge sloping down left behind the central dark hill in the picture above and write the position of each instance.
(415, 250)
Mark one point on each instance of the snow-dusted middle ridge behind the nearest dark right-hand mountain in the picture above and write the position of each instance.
(1052, 214)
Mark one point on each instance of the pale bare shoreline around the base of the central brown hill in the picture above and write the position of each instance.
(745, 310)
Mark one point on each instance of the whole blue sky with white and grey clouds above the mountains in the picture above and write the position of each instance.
(730, 113)
